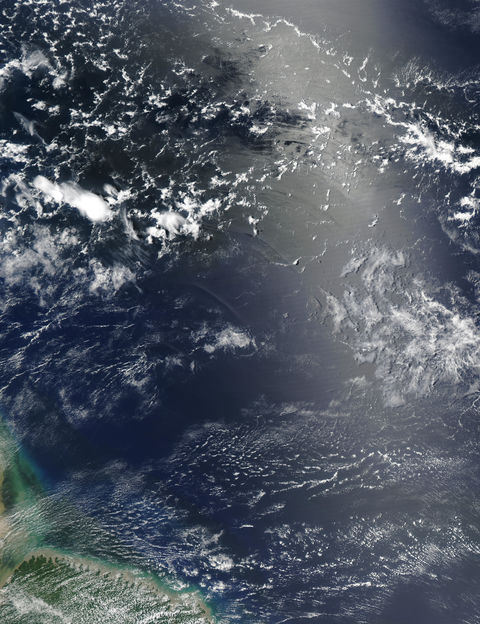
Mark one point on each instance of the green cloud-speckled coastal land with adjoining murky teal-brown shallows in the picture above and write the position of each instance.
(42, 584)
